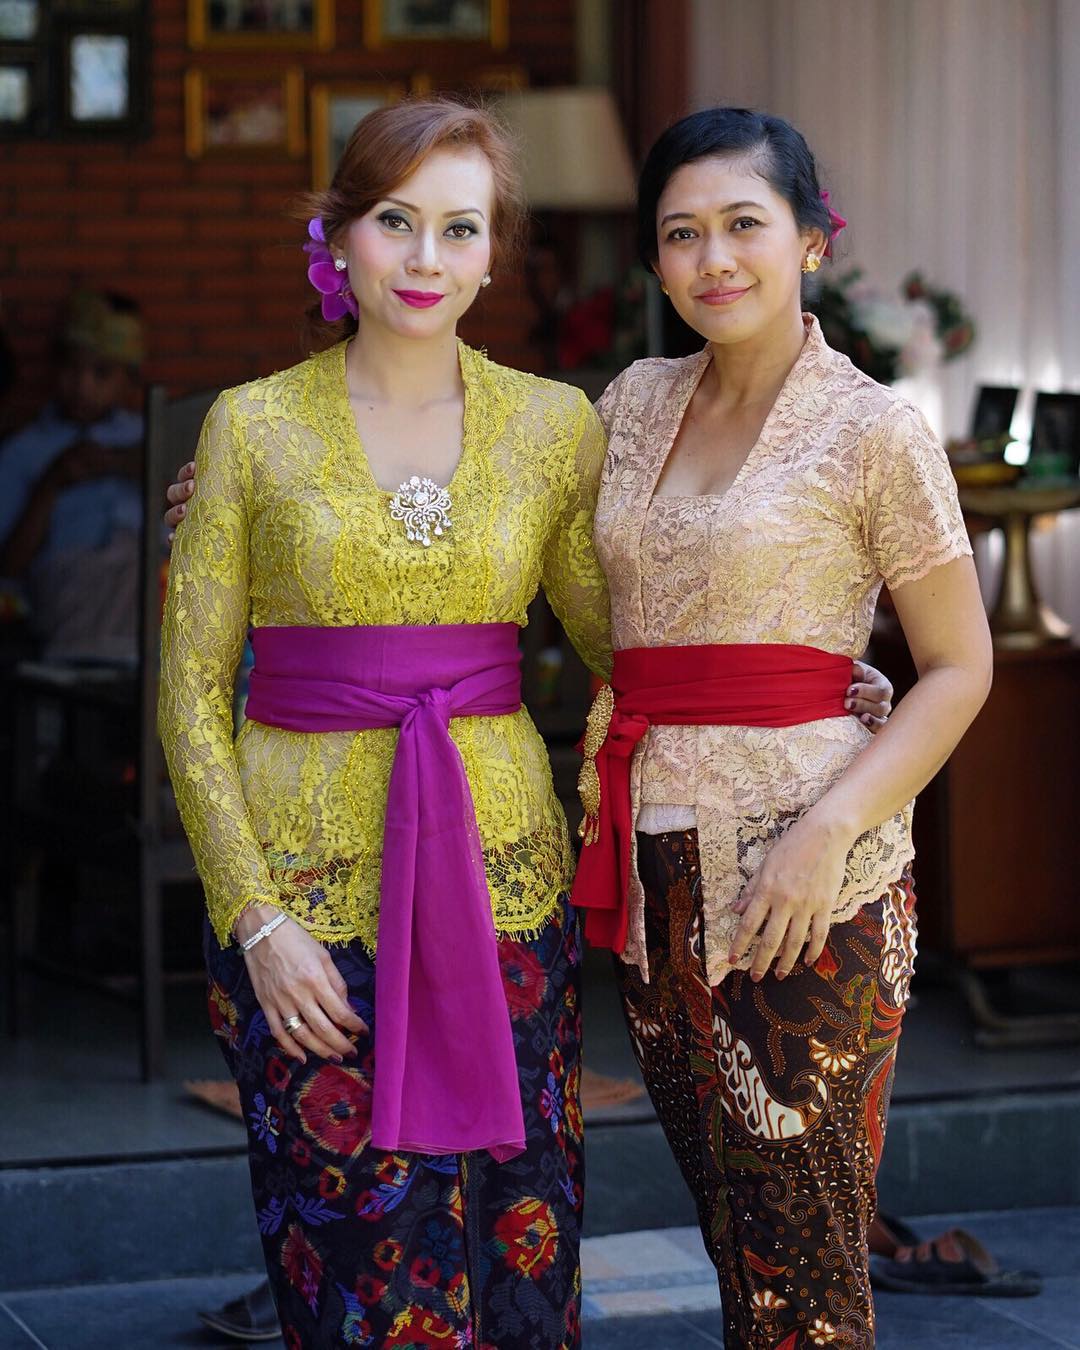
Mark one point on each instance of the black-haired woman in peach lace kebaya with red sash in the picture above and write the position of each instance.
(754, 500)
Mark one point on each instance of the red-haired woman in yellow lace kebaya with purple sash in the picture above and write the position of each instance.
(380, 518)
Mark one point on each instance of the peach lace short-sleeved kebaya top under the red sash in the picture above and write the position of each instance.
(846, 488)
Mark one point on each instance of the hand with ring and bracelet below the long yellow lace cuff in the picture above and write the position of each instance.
(294, 975)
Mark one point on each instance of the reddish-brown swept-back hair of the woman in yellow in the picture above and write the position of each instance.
(385, 149)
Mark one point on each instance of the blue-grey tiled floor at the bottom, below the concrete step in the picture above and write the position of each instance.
(643, 1291)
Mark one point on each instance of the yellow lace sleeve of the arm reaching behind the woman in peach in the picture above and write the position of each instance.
(573, 578)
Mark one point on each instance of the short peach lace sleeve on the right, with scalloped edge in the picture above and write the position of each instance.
(913, 518)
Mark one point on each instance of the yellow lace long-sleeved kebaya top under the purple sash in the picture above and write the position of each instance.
(288, 527)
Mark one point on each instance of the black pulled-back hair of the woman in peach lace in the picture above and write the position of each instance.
(778, 152)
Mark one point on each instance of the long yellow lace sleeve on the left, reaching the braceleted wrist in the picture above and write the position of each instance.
(205, 630)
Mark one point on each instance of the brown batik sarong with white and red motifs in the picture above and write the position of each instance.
(774, 1101)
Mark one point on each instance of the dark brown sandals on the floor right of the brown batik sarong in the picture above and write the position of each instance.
(952, 1264)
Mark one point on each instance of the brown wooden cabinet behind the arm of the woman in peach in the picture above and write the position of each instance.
(998, 831)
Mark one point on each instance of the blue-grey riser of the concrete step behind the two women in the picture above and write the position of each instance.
(192, 1216)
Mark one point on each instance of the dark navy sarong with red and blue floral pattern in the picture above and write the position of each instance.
(402, 1249)
